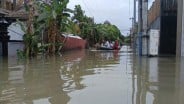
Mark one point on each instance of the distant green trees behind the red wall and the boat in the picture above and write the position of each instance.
(94, 32)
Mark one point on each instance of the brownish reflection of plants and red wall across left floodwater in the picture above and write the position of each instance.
(47, 80)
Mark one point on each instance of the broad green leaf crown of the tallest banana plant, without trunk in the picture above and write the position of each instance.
(56, 11)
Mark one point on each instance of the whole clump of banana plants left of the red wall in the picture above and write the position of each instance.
(47, 15)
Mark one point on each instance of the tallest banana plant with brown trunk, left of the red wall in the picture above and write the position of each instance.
(53, 16)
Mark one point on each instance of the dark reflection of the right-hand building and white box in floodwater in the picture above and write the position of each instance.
(158, 81)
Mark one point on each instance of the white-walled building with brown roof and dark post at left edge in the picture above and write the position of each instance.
(10, 10)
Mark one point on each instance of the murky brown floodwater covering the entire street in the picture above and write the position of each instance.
(92, 77)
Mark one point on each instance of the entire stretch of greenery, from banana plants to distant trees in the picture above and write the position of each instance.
(47, 21)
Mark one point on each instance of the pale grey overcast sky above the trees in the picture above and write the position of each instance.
(117, 12)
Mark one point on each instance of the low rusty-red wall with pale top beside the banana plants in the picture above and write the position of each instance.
(72, 42)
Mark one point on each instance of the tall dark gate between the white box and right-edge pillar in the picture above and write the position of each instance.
(168, 27)
